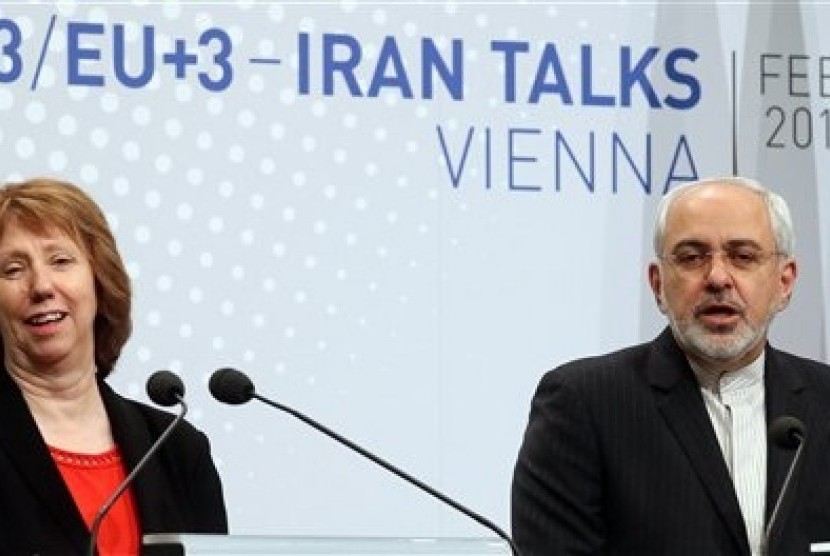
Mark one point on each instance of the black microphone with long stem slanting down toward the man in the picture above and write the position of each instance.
(234, 387)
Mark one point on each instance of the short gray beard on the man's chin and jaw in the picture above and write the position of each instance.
(725, 347)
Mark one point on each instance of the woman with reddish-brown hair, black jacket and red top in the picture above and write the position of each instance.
(66, 438)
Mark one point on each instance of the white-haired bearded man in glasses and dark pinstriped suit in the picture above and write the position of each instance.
(662, 448)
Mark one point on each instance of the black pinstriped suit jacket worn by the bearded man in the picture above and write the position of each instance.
(620, 457)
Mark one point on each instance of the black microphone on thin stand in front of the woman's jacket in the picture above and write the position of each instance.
(164, 388)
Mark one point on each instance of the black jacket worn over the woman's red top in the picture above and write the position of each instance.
(178, 491)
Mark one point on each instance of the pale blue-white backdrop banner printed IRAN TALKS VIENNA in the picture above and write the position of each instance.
(396, 216)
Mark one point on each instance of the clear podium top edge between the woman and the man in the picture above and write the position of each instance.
(255, 545)
